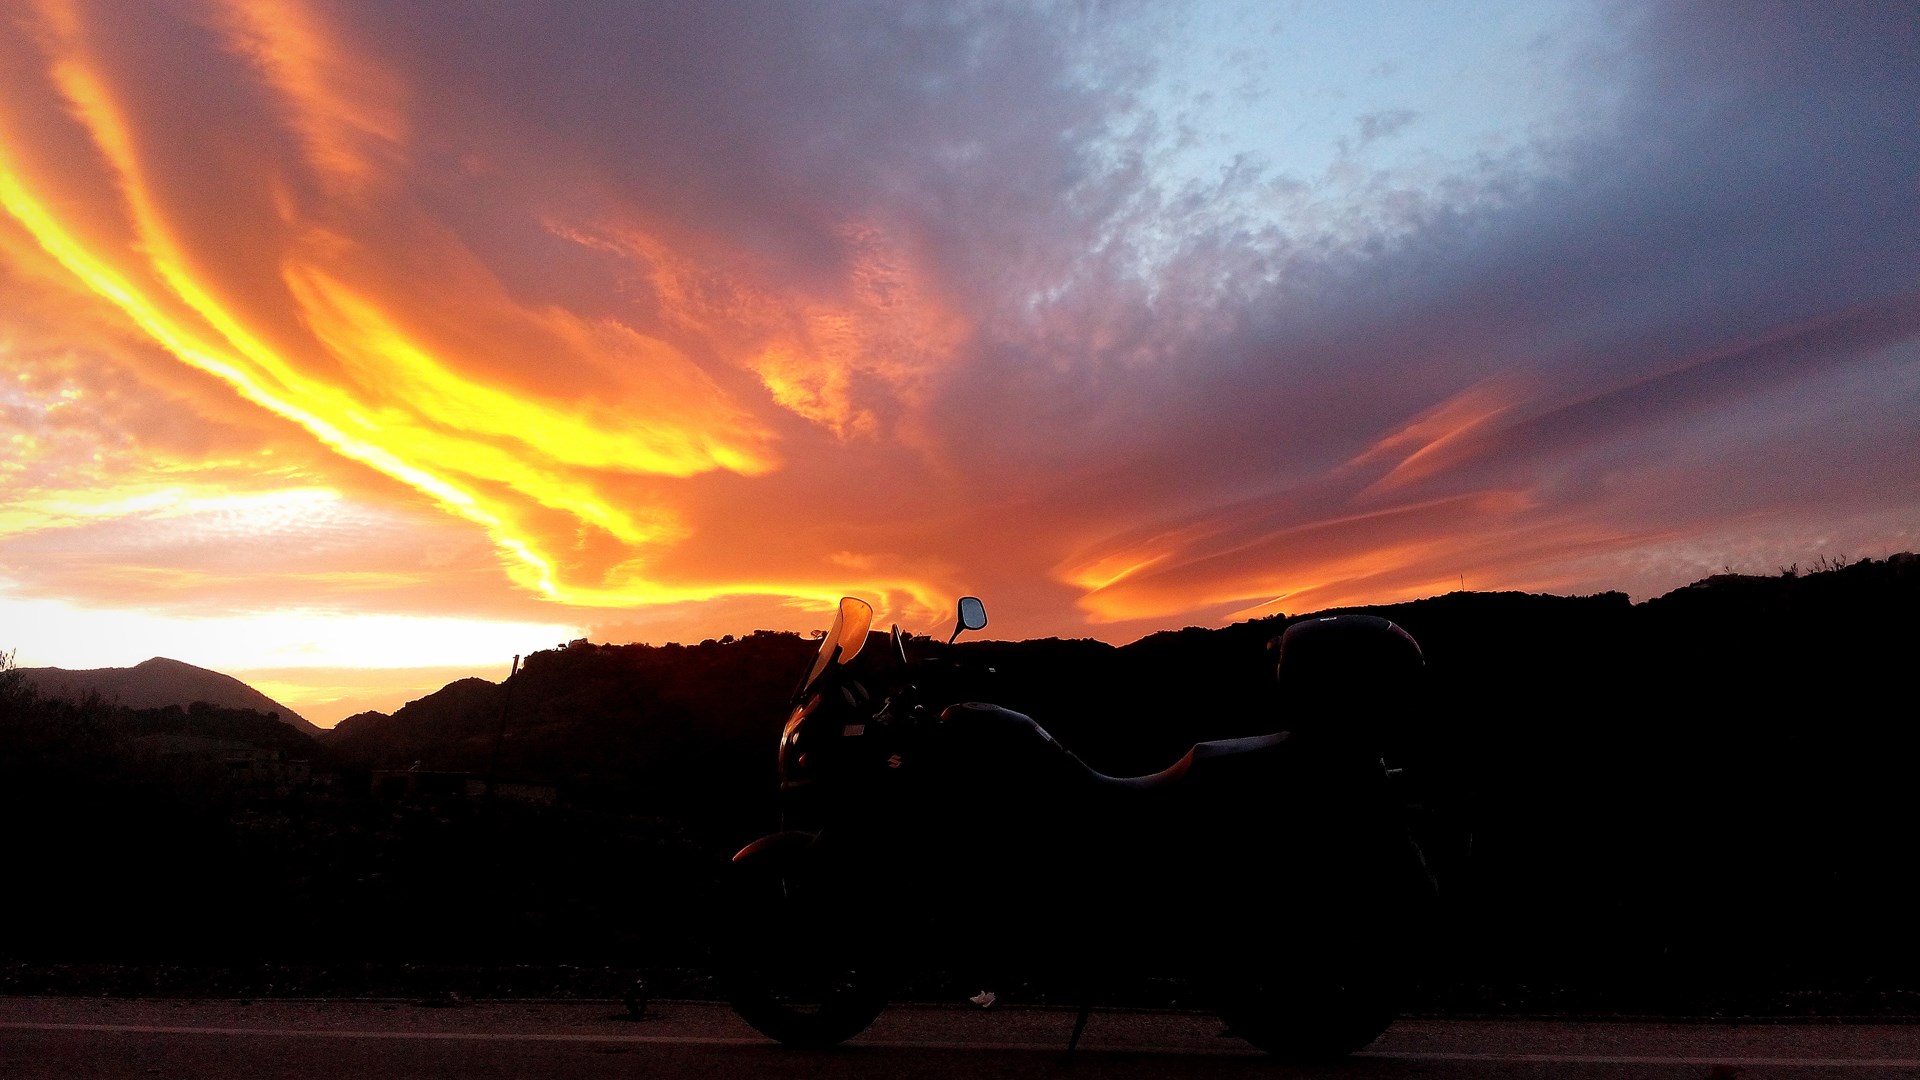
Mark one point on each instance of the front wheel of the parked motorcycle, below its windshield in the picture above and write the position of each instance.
(794, 960)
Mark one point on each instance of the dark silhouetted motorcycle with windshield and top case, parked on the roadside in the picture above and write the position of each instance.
(1278, 871)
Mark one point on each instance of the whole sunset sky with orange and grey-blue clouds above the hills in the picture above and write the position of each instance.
(354, 347)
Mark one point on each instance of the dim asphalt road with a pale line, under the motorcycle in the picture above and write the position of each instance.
(72, 1039)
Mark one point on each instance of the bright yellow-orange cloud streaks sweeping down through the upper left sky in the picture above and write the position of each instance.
(337, 358)
